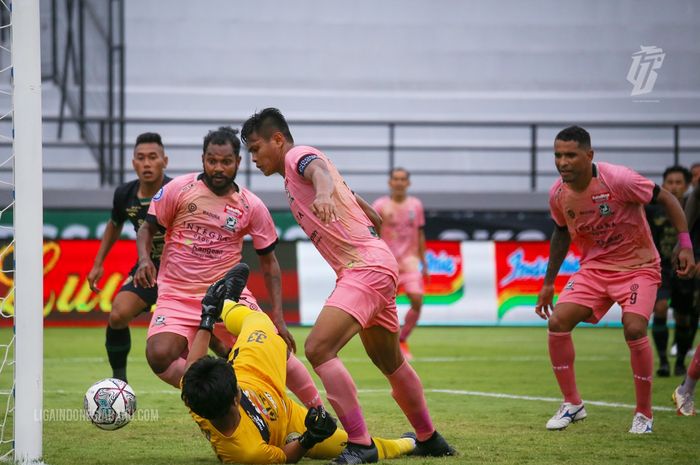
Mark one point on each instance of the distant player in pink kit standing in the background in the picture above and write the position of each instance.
(402, 229)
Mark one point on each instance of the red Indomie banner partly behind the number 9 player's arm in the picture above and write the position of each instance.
(520, 270)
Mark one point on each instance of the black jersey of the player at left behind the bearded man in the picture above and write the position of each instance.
(127, 206)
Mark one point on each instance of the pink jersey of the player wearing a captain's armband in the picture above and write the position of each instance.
(351, 242)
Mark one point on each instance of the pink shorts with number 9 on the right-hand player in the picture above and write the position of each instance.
(635, 291)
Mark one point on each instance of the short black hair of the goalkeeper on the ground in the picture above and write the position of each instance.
(209, 387)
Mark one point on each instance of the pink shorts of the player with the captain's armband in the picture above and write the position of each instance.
(369, 296)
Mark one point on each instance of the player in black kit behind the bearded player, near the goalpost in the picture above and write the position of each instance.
(131, 201)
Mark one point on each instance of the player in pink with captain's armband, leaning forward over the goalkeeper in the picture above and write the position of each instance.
(338, 223)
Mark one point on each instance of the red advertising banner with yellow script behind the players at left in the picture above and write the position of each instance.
(68, 300)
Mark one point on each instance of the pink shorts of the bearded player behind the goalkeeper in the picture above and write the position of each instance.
(182, 316)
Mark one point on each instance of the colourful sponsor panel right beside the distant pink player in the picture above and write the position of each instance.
(446, 280)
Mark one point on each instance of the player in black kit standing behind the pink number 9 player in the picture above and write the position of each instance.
(676, 179)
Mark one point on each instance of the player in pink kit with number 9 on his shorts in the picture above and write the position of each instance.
(600, 207)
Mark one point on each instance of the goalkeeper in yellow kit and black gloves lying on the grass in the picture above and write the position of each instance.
(241, 404)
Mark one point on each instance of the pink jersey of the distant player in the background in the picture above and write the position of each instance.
(401, 223)
